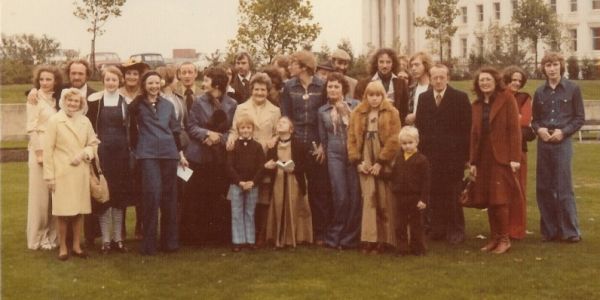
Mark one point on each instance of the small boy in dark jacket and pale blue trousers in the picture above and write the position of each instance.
(244, 167)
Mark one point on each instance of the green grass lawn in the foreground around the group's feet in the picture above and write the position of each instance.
(531, 270)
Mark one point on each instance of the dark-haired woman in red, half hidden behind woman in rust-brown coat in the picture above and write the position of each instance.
(515, 79)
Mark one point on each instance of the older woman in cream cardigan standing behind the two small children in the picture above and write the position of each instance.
(265, 116)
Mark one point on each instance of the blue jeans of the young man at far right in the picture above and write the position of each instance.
(554, 191)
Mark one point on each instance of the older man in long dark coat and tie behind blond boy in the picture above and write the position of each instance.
(444, 122)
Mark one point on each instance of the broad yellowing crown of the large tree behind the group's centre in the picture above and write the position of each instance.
(270, 27)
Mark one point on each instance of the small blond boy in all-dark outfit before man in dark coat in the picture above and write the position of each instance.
(410, 184)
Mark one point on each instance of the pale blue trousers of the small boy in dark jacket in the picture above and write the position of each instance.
(243, 204)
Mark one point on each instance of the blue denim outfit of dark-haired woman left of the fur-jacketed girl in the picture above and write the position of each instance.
(344, 229)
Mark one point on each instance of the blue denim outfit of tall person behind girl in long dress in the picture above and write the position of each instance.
(301, 106)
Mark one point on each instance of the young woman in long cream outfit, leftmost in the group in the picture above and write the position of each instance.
(41, 232)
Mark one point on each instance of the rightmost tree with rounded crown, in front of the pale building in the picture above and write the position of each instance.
(535, 22)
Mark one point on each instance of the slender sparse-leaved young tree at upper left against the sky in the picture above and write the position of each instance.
(97, 13)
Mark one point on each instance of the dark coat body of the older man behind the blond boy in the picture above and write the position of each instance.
(444, 130)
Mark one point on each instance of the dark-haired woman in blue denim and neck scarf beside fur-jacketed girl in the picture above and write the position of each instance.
(344, 229)
